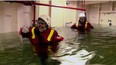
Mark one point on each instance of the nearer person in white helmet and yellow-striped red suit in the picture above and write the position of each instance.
(43, 36)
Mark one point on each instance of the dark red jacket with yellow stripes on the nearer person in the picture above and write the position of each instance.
(49, 37)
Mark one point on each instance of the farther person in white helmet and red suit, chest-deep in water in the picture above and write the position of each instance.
(82, 25)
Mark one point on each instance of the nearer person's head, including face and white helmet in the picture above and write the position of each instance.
(43, 23)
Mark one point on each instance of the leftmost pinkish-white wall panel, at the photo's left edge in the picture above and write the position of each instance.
(8, 17)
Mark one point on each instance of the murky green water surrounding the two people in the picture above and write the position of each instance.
(96, 48)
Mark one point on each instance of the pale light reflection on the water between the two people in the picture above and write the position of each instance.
(71, 52)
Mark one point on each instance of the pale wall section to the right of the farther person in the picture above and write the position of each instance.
(102, 13)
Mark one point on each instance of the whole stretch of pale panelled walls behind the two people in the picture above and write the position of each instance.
(14, 15)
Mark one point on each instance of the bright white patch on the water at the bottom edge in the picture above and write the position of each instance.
(80, 58)
